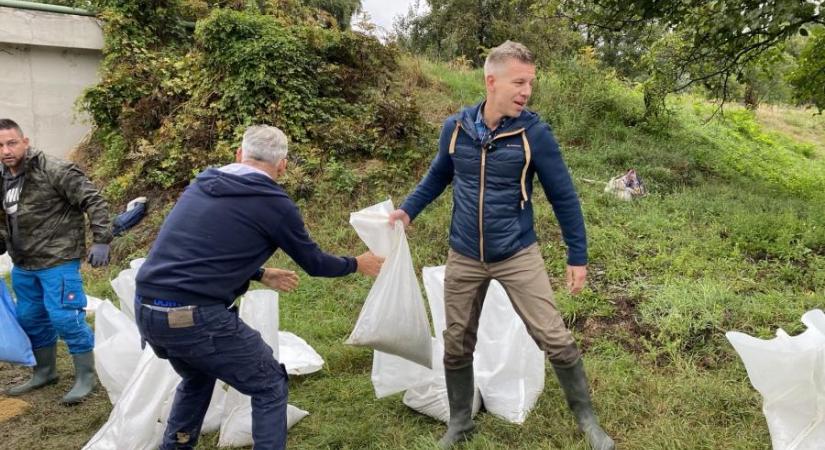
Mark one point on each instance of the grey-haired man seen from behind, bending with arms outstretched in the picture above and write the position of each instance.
(222, 229)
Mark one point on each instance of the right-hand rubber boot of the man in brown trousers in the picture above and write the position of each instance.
(574, 383)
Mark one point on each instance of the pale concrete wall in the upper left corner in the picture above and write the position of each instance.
(48, 60)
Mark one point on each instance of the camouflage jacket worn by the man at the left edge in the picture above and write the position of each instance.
(50, 213)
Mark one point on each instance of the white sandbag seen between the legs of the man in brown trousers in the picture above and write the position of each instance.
(509, 366)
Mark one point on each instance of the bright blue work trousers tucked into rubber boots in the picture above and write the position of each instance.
(50, 303)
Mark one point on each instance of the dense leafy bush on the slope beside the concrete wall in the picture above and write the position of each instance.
(170, 104)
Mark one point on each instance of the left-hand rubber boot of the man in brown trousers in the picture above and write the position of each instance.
(460, 393)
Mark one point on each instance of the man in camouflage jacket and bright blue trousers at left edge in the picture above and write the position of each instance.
(42, 227)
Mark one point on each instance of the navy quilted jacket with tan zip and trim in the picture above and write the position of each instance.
(492, 211)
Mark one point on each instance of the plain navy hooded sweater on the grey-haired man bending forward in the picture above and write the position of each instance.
(221, 230)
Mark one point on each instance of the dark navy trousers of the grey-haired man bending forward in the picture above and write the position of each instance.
(216, 344)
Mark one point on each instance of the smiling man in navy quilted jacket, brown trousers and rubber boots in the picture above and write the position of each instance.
(490, 153)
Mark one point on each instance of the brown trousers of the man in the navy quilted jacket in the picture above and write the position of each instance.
(525, 280)
